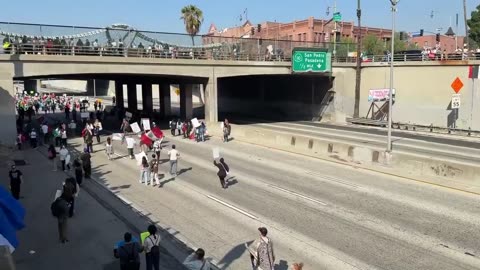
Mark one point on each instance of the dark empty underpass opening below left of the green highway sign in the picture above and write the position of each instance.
(278, 98)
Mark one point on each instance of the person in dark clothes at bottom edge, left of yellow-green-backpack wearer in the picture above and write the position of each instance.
(128, 253)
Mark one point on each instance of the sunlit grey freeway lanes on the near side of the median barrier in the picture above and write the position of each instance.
(326, 215)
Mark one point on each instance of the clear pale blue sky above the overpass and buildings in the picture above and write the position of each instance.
(163, 15)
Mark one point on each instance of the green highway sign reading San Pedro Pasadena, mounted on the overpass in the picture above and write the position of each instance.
(311, 60)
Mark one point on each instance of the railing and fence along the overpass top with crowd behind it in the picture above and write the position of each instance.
(124, 41)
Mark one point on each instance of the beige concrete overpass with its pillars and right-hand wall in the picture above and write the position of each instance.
(255, 88)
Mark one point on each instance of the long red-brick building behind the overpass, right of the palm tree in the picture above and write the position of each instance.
(310, 30)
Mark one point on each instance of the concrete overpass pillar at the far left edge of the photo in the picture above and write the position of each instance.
(7, 111)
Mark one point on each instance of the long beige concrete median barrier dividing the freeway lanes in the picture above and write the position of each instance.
(411, 165)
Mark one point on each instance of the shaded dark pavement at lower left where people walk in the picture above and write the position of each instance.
(92, 232)
